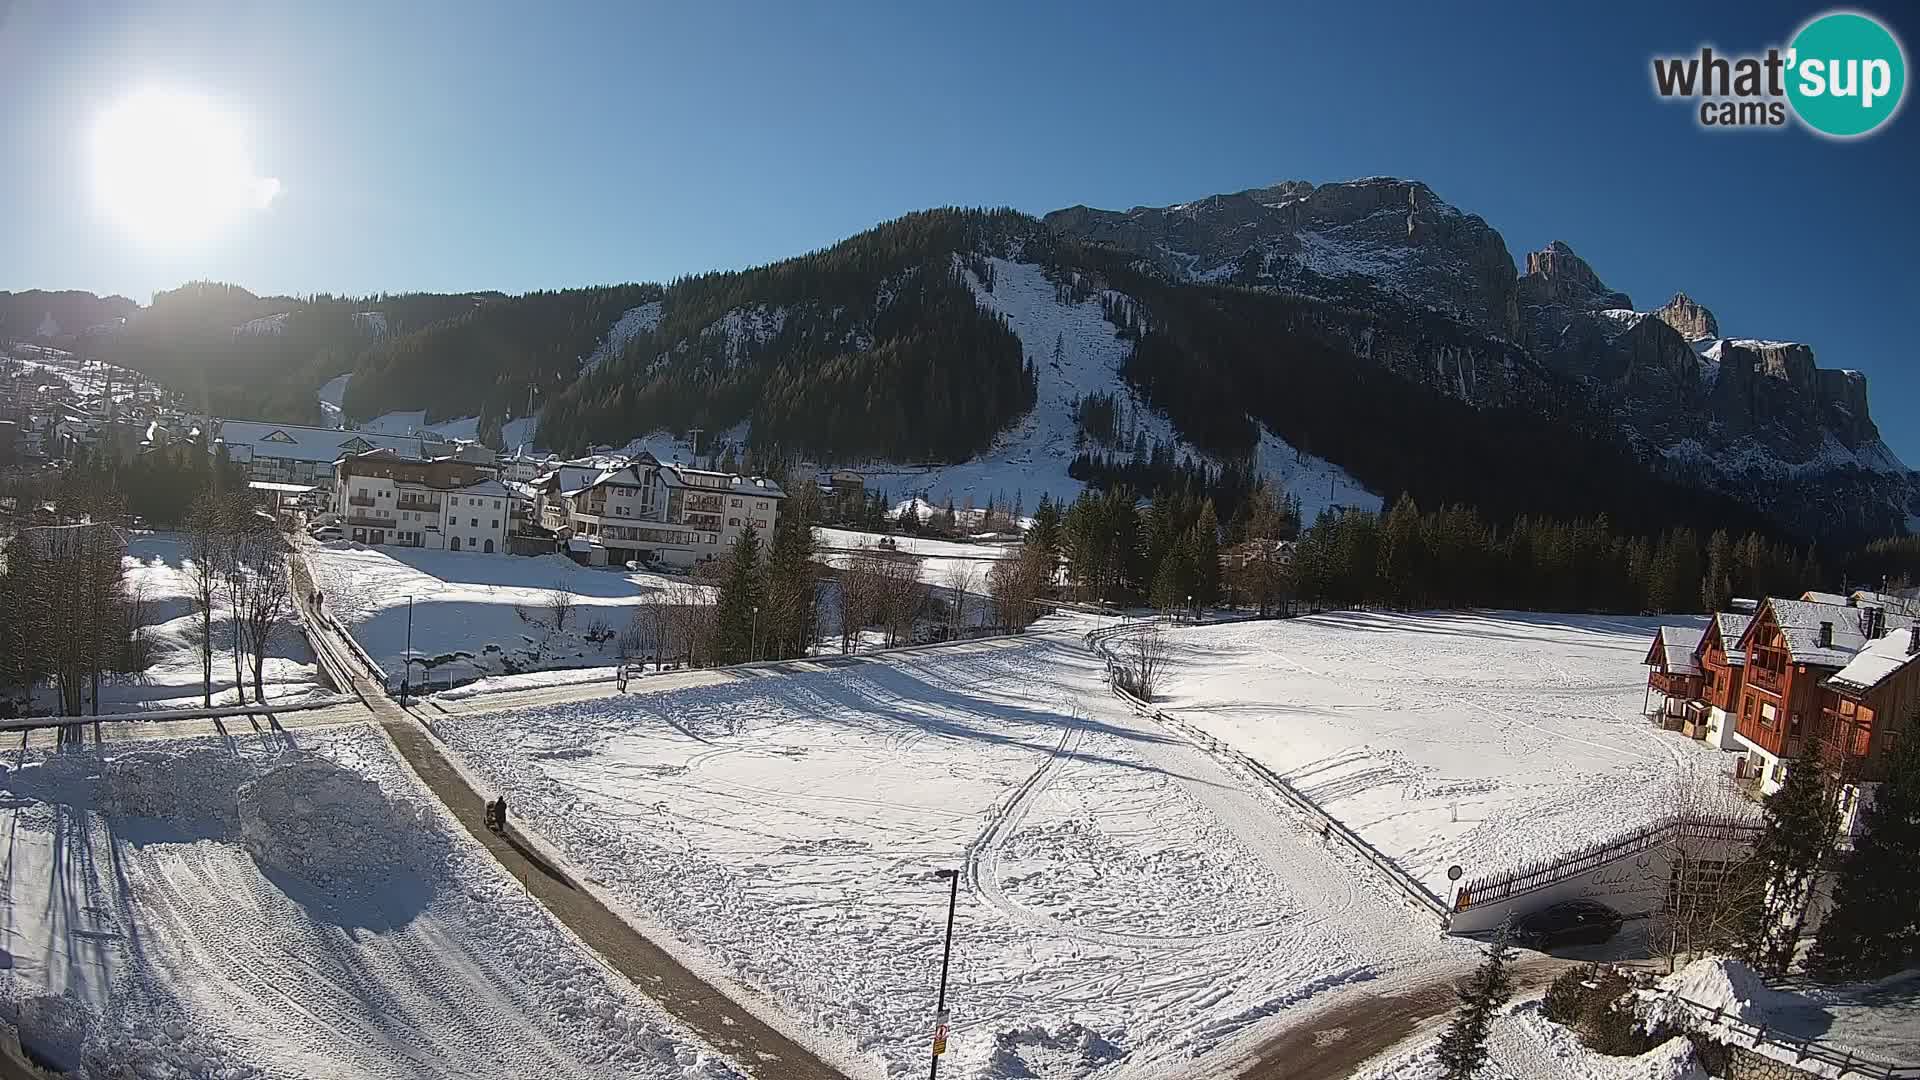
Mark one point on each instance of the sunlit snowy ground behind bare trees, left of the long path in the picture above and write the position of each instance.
(158, 574)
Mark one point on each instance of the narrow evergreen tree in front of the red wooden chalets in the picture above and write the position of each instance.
(1798, 833)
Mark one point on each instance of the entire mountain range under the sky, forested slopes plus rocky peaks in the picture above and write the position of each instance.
(890, 347)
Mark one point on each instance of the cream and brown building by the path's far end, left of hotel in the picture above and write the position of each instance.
(406, 503)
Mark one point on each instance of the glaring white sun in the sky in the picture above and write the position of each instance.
(174, 168)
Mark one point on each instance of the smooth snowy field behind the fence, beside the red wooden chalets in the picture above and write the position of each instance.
(1476, 739)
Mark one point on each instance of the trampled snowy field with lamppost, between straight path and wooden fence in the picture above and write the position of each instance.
(1124, 904)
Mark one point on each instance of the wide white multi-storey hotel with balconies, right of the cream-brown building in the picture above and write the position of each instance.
(646, 510)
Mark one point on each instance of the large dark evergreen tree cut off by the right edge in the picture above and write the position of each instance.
(1875, 927)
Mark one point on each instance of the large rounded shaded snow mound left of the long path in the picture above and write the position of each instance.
(324, 823)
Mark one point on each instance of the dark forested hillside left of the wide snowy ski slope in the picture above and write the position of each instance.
(875, 349)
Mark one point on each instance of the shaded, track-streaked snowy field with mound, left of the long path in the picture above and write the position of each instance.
(249, 910)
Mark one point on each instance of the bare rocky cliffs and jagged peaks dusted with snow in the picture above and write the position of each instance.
(1754, 418)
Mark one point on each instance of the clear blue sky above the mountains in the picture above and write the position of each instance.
(425, 147)
